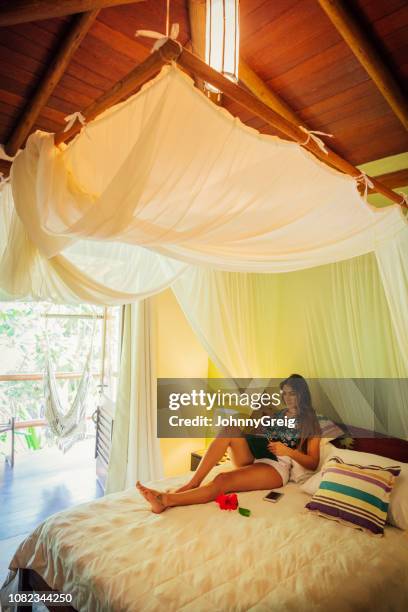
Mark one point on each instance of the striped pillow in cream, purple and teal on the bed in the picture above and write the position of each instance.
(354, 494)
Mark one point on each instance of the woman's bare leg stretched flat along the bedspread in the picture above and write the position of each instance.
(248, 478)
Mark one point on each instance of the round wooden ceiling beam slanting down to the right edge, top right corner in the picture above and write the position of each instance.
(367, 54)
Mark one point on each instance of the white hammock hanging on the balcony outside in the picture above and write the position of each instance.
(67, 426)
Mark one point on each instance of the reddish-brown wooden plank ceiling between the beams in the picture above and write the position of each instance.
(290, 44)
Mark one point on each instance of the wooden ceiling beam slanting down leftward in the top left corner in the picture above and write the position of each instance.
(78, 30)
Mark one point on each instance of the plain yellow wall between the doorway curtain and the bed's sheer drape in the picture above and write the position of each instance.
(179, 355)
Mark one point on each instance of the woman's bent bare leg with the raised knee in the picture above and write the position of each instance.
(241, 456)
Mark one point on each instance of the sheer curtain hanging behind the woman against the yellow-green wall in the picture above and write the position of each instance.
(329, 322)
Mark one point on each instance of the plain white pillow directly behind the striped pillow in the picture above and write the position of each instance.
(398, 509)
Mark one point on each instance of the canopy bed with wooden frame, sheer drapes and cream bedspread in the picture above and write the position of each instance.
(191, 198)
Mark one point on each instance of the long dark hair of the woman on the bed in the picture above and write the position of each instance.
(307, 419)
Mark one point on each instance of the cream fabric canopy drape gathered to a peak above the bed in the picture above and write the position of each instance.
(170, 171)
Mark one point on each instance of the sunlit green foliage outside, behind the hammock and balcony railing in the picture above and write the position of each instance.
(24, 336)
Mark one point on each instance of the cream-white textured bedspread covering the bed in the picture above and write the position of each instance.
(115, 555)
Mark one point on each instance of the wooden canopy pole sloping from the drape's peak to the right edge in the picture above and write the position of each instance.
(194, 66)
